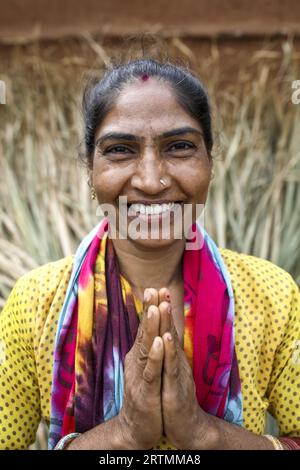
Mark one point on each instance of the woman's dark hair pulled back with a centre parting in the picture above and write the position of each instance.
(99, 97)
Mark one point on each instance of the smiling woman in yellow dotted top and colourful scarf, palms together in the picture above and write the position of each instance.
(155, 345)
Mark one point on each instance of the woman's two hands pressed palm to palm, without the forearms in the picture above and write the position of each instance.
(159, 395)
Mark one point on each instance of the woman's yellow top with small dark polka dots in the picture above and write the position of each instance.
(267, 336)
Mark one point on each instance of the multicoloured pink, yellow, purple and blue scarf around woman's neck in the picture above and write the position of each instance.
(98, 325)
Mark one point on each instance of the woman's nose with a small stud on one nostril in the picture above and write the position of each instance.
(149, 171)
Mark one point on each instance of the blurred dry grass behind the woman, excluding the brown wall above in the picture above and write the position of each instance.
(254, 201)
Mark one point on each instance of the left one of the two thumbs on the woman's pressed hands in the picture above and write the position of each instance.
(153, 369)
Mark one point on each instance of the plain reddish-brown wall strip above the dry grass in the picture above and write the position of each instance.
(22, 20)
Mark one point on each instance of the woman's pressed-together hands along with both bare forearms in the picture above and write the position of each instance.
(160, 396)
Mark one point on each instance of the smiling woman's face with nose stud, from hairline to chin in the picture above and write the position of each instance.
(148, 137)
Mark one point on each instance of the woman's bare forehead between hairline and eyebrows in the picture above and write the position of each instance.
(146, 107)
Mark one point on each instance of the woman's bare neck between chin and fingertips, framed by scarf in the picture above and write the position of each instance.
(143, 268)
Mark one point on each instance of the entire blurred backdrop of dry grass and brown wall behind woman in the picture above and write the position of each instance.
(247, 53)
